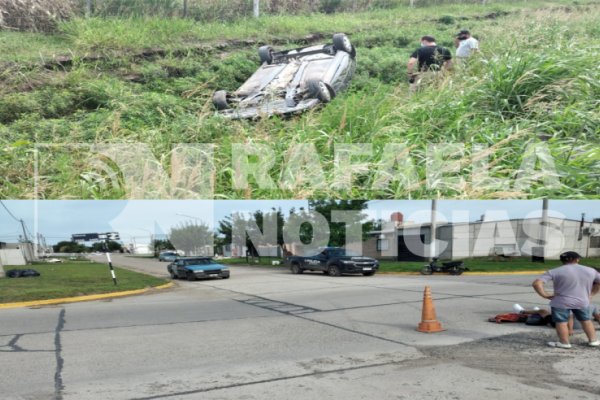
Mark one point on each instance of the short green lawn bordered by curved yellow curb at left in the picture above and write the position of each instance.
(71, 279)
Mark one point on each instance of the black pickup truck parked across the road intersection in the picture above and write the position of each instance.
(334, 261)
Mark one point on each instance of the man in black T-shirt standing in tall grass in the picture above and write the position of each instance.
(428, 59)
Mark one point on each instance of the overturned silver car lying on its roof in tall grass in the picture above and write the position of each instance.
(291, 81)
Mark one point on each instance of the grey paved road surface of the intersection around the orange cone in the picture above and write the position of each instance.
(267, 334)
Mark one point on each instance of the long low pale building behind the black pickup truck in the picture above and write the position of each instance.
(406, 241)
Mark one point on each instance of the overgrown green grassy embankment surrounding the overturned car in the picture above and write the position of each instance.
(536, 81)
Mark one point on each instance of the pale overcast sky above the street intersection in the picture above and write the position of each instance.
(58, 220)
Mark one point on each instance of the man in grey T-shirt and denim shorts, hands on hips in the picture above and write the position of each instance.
(574, 285)
